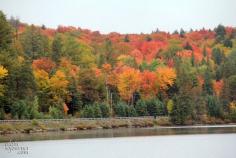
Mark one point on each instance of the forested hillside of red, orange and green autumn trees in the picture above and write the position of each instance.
(189, 76)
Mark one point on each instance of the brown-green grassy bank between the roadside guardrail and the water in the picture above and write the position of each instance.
(73, 125)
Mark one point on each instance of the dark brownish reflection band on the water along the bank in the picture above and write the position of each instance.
(120, 132)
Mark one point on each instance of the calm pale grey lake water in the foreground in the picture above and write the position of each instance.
(219, 143)
